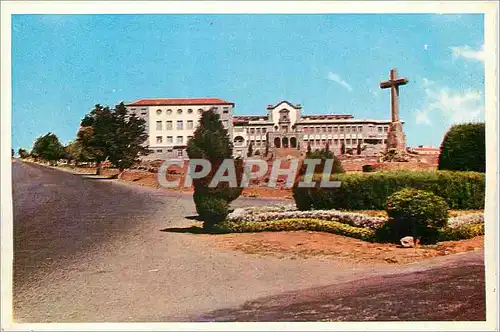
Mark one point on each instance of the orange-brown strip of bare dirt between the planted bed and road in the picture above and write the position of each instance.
(303, 244)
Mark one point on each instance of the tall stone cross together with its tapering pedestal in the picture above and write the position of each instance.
(395, 138)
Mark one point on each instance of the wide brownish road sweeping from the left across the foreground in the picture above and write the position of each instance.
(93, 250)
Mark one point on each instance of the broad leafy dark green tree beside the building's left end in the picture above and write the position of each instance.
(113, 135)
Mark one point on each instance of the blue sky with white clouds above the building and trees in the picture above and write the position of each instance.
(64, 64)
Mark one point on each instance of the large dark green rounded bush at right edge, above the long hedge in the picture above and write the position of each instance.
(463, 148)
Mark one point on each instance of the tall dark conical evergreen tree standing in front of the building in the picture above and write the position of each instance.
(211, 142)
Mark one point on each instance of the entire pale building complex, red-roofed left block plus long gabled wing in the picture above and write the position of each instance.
(171, 123)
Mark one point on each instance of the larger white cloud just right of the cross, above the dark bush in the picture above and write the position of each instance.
(451, 105)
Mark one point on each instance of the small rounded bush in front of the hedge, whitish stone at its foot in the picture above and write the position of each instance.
(415, 213)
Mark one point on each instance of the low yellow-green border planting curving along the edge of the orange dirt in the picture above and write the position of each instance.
(295, 225)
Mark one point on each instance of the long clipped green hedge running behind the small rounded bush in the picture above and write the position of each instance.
(369, 191)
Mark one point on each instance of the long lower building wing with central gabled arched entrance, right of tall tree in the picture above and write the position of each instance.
(285, 127)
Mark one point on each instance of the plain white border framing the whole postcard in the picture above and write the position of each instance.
(489, 8)
